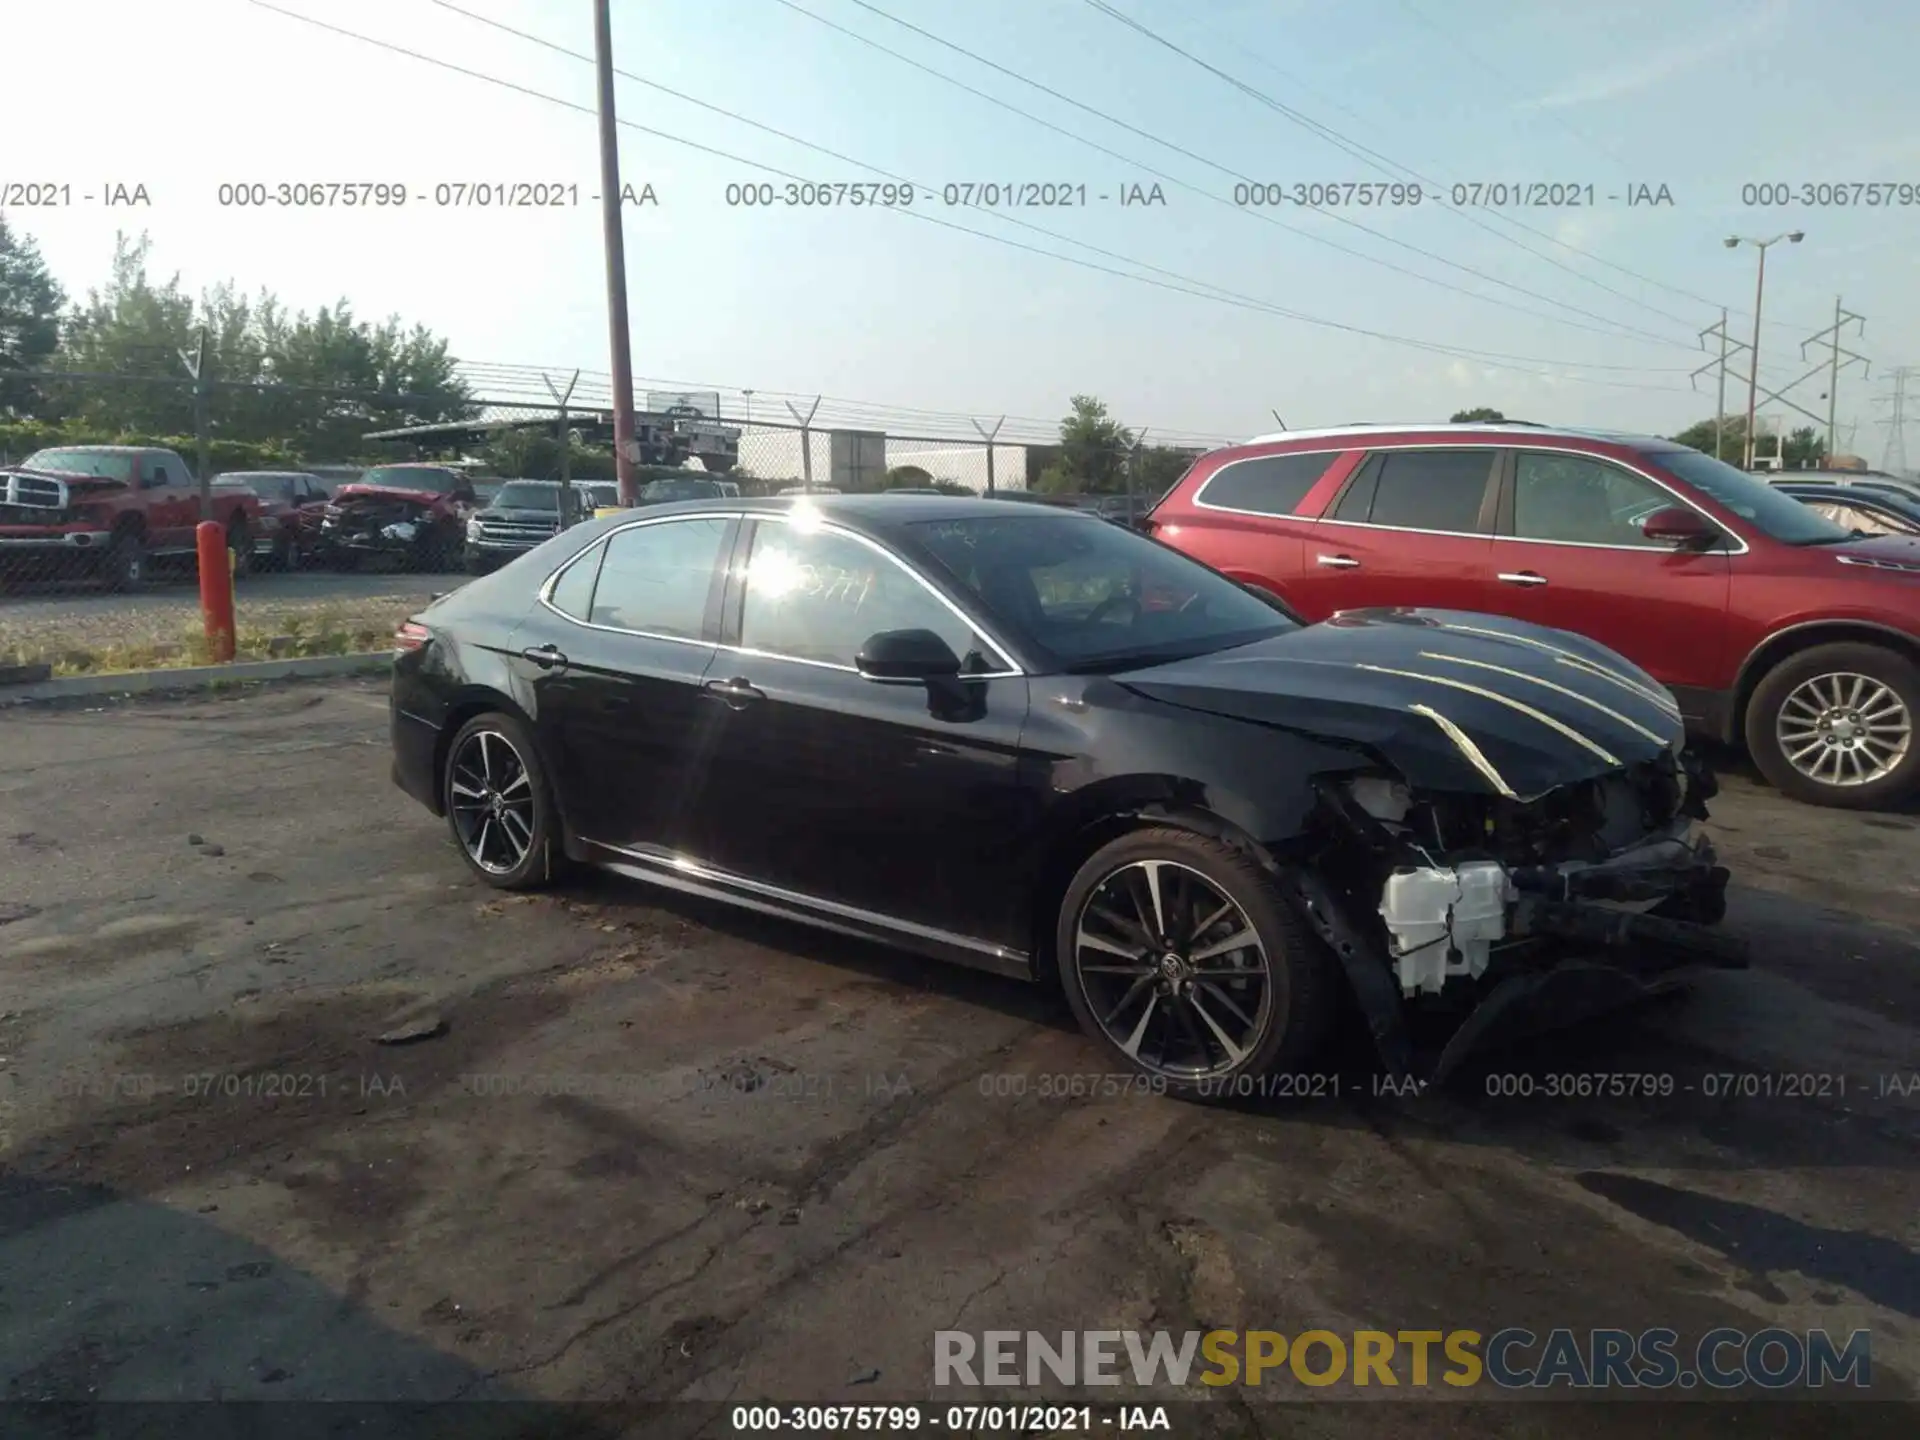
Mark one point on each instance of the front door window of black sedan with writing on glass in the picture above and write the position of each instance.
(821, 596)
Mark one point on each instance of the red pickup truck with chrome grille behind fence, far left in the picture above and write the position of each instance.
(108, 512)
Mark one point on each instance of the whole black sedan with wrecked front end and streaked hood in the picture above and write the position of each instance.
(1030, 740)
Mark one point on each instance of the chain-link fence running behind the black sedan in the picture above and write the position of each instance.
(99, 540)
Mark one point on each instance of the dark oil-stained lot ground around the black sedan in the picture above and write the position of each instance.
(656, 1151)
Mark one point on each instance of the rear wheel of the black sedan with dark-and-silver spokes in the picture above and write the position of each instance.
(500, 805)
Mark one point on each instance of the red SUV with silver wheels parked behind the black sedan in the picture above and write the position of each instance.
(1767, 621)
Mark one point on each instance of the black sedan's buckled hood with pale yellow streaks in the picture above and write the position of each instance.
(1451, 700)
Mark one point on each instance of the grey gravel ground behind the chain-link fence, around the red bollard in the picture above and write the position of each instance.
(51, 619)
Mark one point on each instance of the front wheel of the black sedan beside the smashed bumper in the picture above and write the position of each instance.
(1182, 959)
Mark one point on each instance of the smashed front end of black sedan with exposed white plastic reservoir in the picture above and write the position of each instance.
(1487, 917)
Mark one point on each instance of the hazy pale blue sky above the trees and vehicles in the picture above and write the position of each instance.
(1193, 318)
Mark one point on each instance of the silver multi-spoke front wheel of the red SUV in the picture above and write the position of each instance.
(1835, 727)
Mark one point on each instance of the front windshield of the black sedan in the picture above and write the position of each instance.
(1093, 596)
